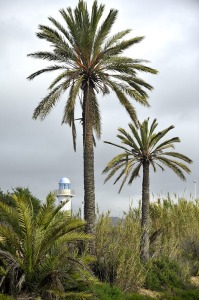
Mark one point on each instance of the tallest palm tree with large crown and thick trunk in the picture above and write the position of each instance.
(90, 62)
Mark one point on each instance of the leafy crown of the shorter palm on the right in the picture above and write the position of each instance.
(143, 145)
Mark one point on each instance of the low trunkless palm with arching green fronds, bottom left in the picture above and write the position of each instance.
(38, 251)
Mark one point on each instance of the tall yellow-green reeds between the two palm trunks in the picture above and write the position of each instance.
(117, 251)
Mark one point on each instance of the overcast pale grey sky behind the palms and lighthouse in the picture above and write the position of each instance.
(37, 154)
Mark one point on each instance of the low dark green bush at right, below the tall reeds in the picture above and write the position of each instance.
(163, 274)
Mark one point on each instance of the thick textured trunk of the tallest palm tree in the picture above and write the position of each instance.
(88, 153)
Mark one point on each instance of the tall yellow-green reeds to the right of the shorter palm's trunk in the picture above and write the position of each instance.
(178, 224)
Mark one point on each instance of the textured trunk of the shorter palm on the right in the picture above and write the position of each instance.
(144, 248)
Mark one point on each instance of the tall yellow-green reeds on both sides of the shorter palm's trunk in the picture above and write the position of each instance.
(174, 235)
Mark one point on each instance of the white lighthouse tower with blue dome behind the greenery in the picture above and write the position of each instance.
(65, 194)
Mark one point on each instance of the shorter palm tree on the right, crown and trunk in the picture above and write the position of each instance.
(144, 148)
